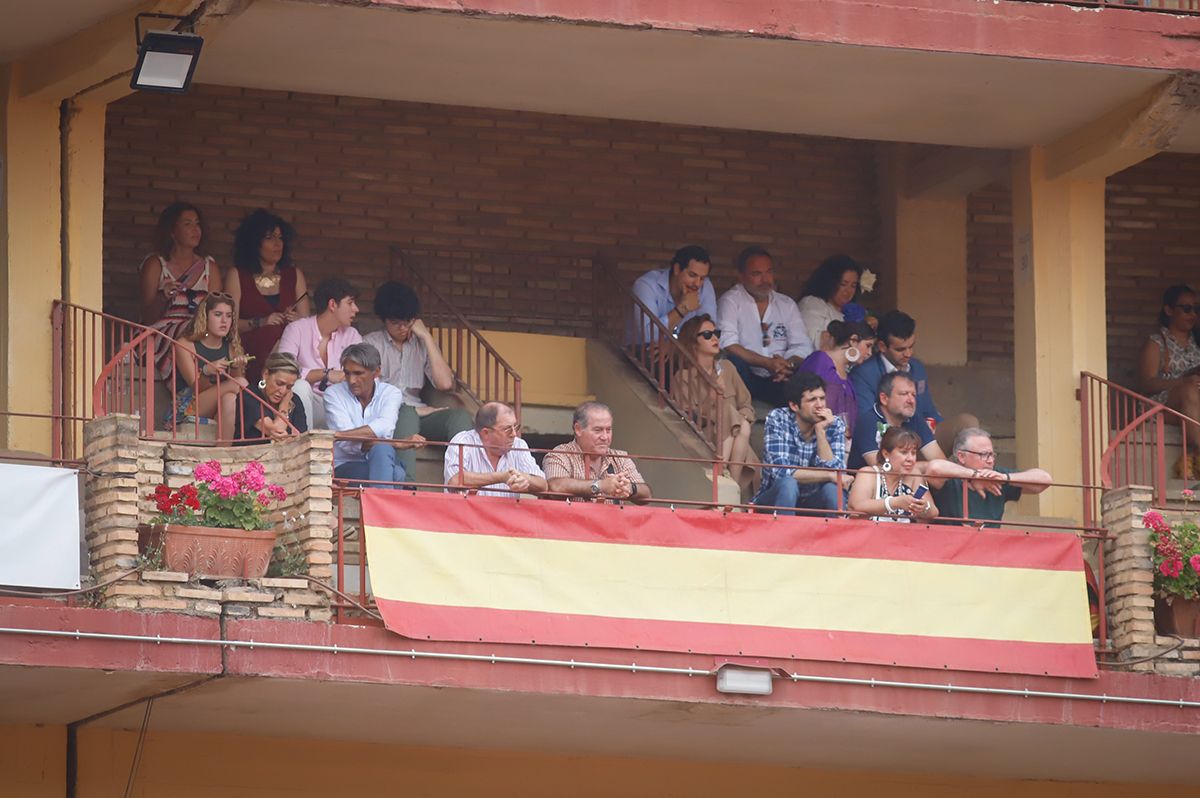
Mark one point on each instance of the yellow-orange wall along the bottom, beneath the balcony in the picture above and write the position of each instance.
(205, 766)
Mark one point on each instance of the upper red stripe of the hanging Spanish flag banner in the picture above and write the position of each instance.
(730, 532)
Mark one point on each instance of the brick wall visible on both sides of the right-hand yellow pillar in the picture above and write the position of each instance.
(1153, 241)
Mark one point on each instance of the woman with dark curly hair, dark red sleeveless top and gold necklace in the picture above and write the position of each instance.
(269, 291)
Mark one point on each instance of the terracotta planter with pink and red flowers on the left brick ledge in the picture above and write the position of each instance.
(215, 526)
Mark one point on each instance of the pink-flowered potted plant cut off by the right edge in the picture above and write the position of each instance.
(1177, 557)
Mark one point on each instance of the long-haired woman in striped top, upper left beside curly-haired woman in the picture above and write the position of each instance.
(176, 279)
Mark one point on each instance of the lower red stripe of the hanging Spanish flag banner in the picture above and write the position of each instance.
(476, 625)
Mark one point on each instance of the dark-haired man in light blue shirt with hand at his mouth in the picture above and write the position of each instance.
(679, 292)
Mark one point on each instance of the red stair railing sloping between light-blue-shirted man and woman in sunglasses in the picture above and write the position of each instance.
(656, 353)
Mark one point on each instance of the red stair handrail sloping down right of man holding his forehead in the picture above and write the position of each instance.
(478, 357)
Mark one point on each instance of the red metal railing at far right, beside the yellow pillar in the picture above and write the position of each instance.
(1125, 441)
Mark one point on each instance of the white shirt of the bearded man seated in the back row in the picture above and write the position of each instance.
(782, 326)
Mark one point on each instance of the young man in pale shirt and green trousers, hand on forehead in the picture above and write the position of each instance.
(411, 361)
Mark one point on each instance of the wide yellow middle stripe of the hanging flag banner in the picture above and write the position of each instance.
(729, 587)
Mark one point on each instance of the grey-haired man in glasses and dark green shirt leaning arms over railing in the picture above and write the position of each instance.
(974, 472)
